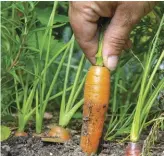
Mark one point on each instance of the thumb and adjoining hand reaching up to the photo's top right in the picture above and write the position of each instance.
(117, 34)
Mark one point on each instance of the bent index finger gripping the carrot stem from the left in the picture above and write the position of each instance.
(84, 24)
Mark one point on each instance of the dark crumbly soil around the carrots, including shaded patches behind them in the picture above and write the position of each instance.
(33, 146)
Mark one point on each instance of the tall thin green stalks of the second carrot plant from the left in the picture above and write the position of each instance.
(44, 96)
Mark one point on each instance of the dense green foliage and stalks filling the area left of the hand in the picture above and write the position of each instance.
(34, 41)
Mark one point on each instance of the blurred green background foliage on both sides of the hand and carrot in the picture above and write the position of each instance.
(27, 37)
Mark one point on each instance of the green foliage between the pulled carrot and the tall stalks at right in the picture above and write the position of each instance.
(121, 114)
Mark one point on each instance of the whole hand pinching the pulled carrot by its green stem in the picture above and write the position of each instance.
(124, 15)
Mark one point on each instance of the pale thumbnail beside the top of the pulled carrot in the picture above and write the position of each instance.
(111, 62)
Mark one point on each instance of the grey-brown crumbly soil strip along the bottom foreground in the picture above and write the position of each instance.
(32, 146)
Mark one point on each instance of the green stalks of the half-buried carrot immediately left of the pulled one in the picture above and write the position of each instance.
(68, 108)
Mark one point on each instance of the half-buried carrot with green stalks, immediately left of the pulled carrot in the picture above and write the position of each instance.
(70, 102)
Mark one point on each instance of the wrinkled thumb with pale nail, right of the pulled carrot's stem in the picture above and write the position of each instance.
(116, 37)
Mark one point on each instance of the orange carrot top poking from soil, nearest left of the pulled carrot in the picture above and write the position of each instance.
(59, 132)
